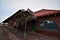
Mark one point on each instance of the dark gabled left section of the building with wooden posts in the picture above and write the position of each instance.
(18, 19)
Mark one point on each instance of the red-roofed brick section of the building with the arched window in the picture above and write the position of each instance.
(48, 22)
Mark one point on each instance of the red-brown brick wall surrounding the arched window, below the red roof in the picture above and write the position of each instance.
(48, 32)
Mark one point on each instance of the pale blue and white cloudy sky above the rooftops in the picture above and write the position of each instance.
(9, 7)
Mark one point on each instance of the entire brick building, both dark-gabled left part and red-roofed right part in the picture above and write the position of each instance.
(44, 21)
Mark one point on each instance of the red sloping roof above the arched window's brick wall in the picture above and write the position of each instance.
(44, 12)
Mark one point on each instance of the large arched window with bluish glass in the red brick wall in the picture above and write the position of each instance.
(48, 24)
